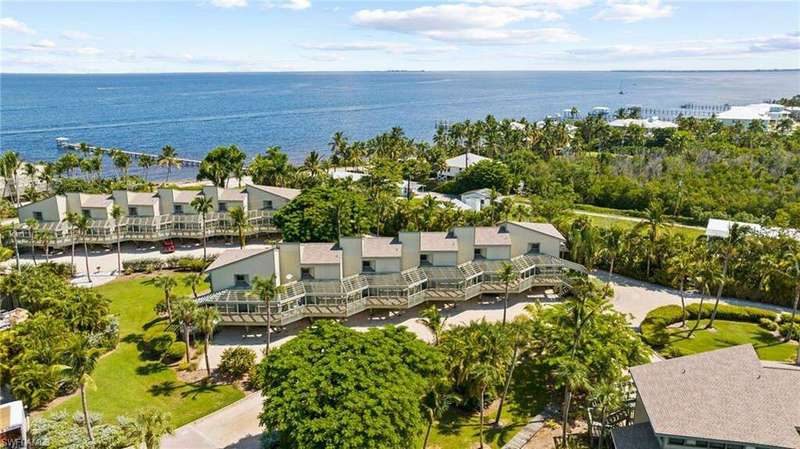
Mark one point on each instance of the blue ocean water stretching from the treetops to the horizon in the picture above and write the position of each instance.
(300, 111)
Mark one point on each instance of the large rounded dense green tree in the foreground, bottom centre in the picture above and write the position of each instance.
(334, 387)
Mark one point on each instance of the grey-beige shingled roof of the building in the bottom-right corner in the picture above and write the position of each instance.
(724, 395)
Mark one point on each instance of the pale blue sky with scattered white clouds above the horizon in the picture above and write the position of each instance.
(326, 35)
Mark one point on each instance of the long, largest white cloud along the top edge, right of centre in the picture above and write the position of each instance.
(446, 17)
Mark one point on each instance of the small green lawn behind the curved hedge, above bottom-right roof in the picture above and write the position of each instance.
(731, 333)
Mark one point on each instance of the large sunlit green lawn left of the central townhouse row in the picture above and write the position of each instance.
(126, 381)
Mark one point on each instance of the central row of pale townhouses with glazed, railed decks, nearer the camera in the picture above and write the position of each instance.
(338, 280)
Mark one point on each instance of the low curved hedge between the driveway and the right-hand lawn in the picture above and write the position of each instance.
(654, 326)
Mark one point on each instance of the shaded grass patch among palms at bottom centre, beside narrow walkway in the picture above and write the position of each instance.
(459, 430)
